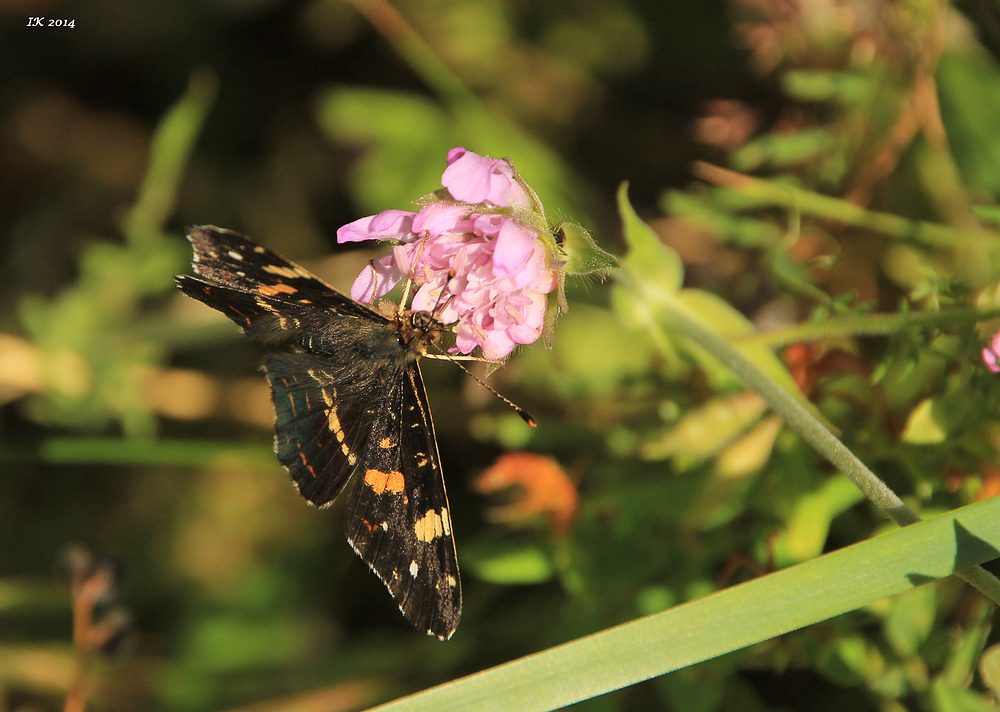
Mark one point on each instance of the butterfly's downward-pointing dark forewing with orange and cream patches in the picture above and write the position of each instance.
(398, 518)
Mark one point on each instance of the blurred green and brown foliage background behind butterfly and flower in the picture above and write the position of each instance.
(865, 242)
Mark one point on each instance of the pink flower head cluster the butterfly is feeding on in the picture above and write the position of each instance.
(474, 262)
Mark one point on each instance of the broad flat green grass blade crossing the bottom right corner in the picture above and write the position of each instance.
(729, 620)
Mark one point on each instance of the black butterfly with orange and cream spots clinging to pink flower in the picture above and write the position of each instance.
(349, 401)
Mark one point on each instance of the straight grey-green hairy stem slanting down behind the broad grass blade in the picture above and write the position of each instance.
(809, 428)
